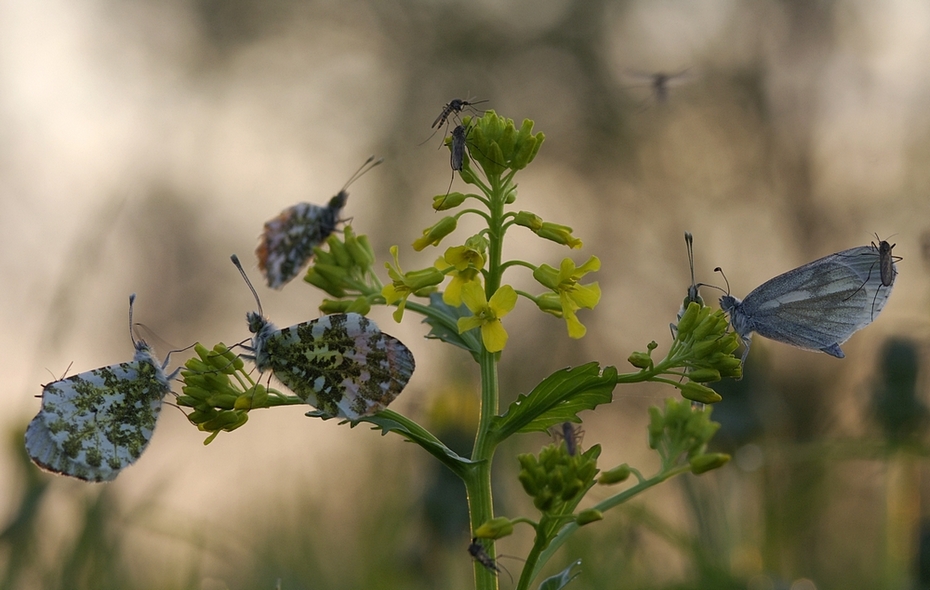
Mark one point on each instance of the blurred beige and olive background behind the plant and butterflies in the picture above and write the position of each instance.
(142, 142)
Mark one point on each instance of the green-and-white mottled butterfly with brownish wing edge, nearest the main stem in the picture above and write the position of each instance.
(341, 364)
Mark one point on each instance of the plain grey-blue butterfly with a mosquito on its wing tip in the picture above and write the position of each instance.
(817, 306)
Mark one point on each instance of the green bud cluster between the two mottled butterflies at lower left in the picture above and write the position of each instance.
(218, 403)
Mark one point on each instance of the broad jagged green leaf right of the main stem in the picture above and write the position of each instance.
(558, 398)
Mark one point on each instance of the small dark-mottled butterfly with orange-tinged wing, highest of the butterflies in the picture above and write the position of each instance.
(287, 242)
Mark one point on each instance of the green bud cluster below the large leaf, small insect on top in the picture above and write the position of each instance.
(557, 478)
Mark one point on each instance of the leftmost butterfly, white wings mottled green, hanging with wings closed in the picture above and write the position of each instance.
(95, 424)
